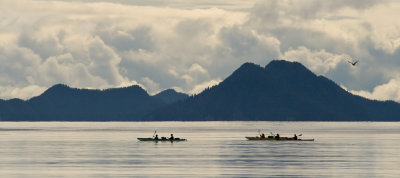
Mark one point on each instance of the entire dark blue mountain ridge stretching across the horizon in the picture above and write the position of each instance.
(280, 91)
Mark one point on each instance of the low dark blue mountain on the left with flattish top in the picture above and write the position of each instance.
(62, 103)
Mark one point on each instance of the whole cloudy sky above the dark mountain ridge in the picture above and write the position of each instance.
(190, 45)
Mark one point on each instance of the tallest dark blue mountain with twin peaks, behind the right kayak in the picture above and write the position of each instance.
(281, 91)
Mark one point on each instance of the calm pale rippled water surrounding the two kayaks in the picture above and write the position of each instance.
(214, 149)
